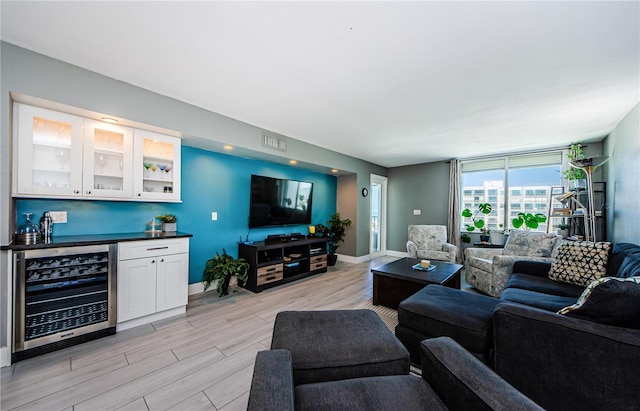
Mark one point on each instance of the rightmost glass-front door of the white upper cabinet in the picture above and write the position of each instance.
(156, 166)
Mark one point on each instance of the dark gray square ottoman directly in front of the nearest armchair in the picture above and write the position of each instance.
(337, 345)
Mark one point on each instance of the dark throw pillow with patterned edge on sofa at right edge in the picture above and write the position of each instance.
(609, 300)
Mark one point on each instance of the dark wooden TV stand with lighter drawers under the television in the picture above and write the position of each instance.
(273, 264)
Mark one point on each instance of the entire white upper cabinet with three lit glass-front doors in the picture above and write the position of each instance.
(66, 156)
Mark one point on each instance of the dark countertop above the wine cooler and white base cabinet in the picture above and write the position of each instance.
(94, 239)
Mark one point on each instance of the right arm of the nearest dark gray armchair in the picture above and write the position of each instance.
(464, 383)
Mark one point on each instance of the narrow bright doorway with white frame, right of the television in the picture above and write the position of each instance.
(378, 221)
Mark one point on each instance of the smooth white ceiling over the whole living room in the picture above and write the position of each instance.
(394, 83)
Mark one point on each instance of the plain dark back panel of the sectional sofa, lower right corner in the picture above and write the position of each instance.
(564, 363)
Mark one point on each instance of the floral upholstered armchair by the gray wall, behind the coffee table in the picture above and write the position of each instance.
(430, 242)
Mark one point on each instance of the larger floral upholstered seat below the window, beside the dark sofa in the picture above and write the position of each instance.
(489, 269)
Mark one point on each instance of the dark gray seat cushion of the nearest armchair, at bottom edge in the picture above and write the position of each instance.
(400, 392)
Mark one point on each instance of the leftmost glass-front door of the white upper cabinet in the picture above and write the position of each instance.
(48, 157)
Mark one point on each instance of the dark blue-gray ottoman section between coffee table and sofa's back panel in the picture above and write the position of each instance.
(437, 311)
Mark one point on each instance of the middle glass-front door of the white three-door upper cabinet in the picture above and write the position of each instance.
(108, 160)
